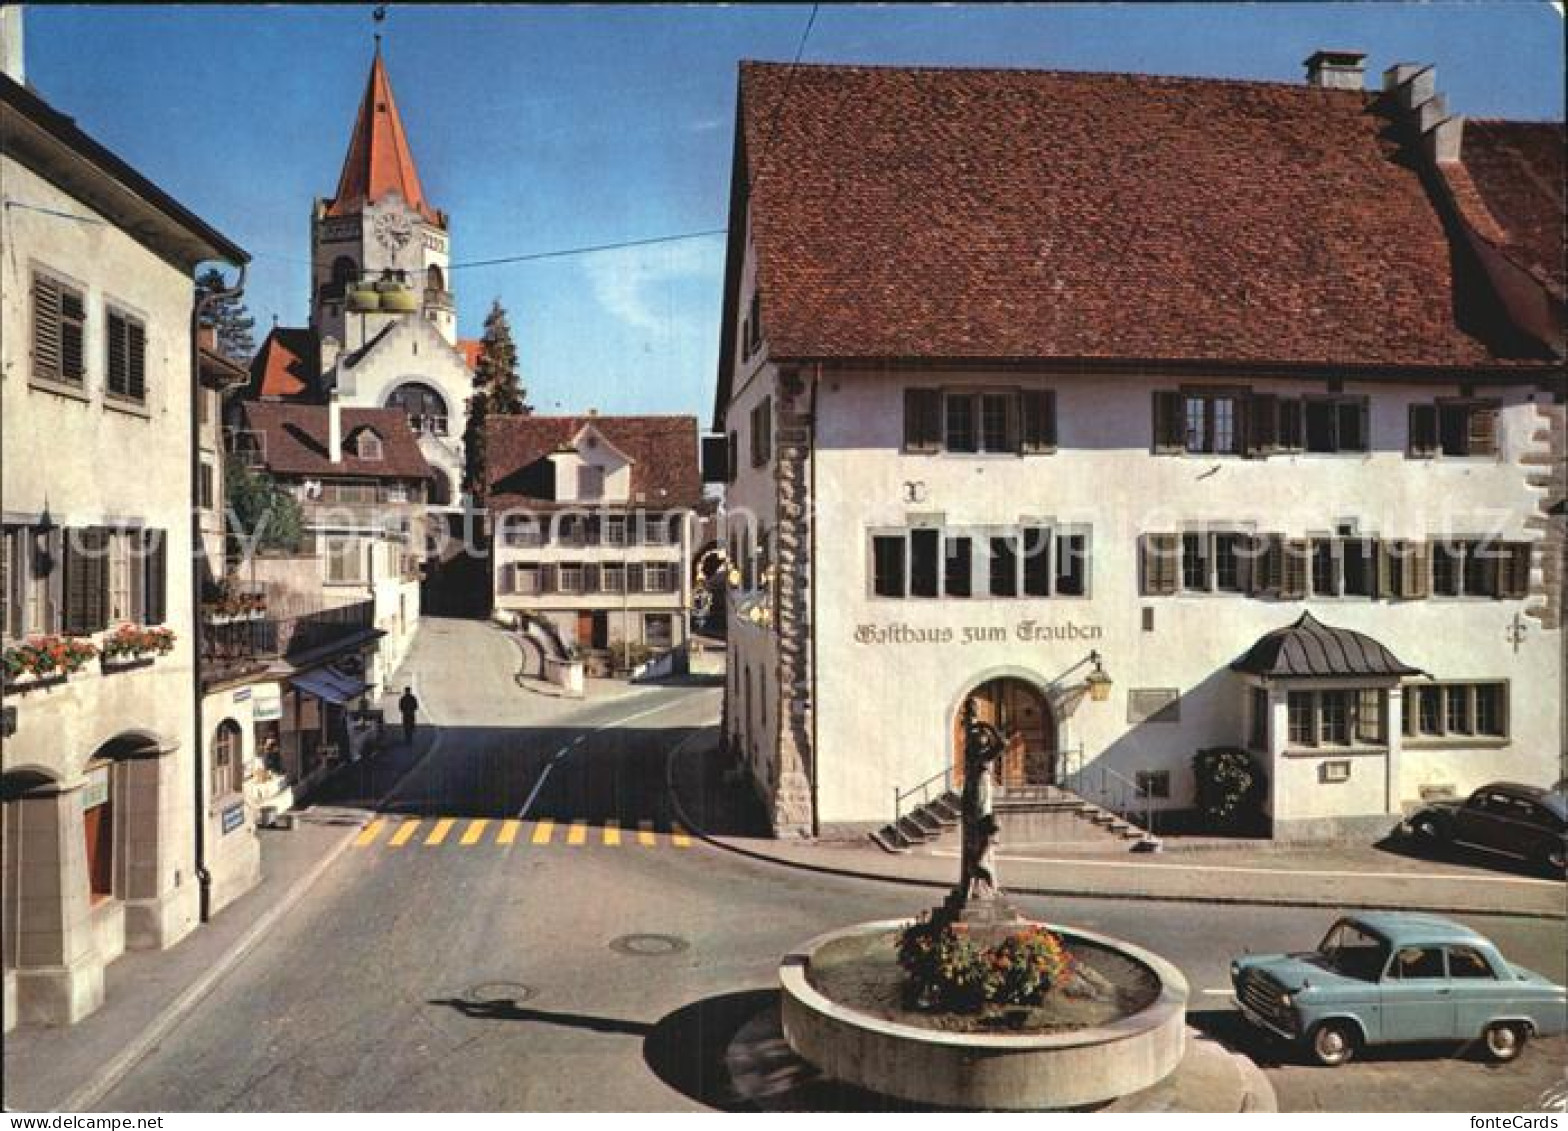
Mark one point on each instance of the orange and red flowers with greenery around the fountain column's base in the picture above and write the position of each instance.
(951, 970)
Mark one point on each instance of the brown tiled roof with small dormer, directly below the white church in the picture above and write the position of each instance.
(296, 442)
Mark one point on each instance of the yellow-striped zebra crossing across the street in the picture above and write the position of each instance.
(485, 832)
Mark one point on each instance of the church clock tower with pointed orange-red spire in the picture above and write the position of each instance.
(379, 250)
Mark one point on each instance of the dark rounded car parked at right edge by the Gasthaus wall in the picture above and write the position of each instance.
(1517, 821)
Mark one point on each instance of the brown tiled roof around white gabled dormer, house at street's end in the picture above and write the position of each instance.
(662, 449)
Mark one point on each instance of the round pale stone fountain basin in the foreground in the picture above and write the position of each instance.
(984, 1071)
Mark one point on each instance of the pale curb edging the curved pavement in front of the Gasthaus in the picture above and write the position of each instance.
(1078, 892)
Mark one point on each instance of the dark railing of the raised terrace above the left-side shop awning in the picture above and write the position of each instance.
(234, 647)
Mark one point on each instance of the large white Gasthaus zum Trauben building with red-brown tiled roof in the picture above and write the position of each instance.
(1161, 415)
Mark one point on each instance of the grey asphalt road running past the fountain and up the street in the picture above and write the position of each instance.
(529, 967)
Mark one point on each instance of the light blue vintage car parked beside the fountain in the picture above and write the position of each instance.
(1385, 978)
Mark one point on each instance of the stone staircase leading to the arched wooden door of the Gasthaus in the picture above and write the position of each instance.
(1047, 812)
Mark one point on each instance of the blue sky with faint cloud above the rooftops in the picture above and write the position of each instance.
(540, 129)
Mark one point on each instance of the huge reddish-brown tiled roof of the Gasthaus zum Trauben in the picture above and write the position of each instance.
(951, 214)
